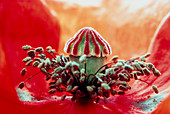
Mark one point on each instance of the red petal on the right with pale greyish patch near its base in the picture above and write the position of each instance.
(141, 96)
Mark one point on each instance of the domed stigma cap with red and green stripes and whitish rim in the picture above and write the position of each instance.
(89, 42)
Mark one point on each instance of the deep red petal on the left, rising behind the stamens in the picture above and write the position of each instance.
(26, 23)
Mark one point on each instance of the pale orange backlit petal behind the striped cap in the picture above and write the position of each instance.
(127, 26)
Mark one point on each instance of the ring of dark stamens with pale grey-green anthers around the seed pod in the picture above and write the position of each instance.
(66, 75)
